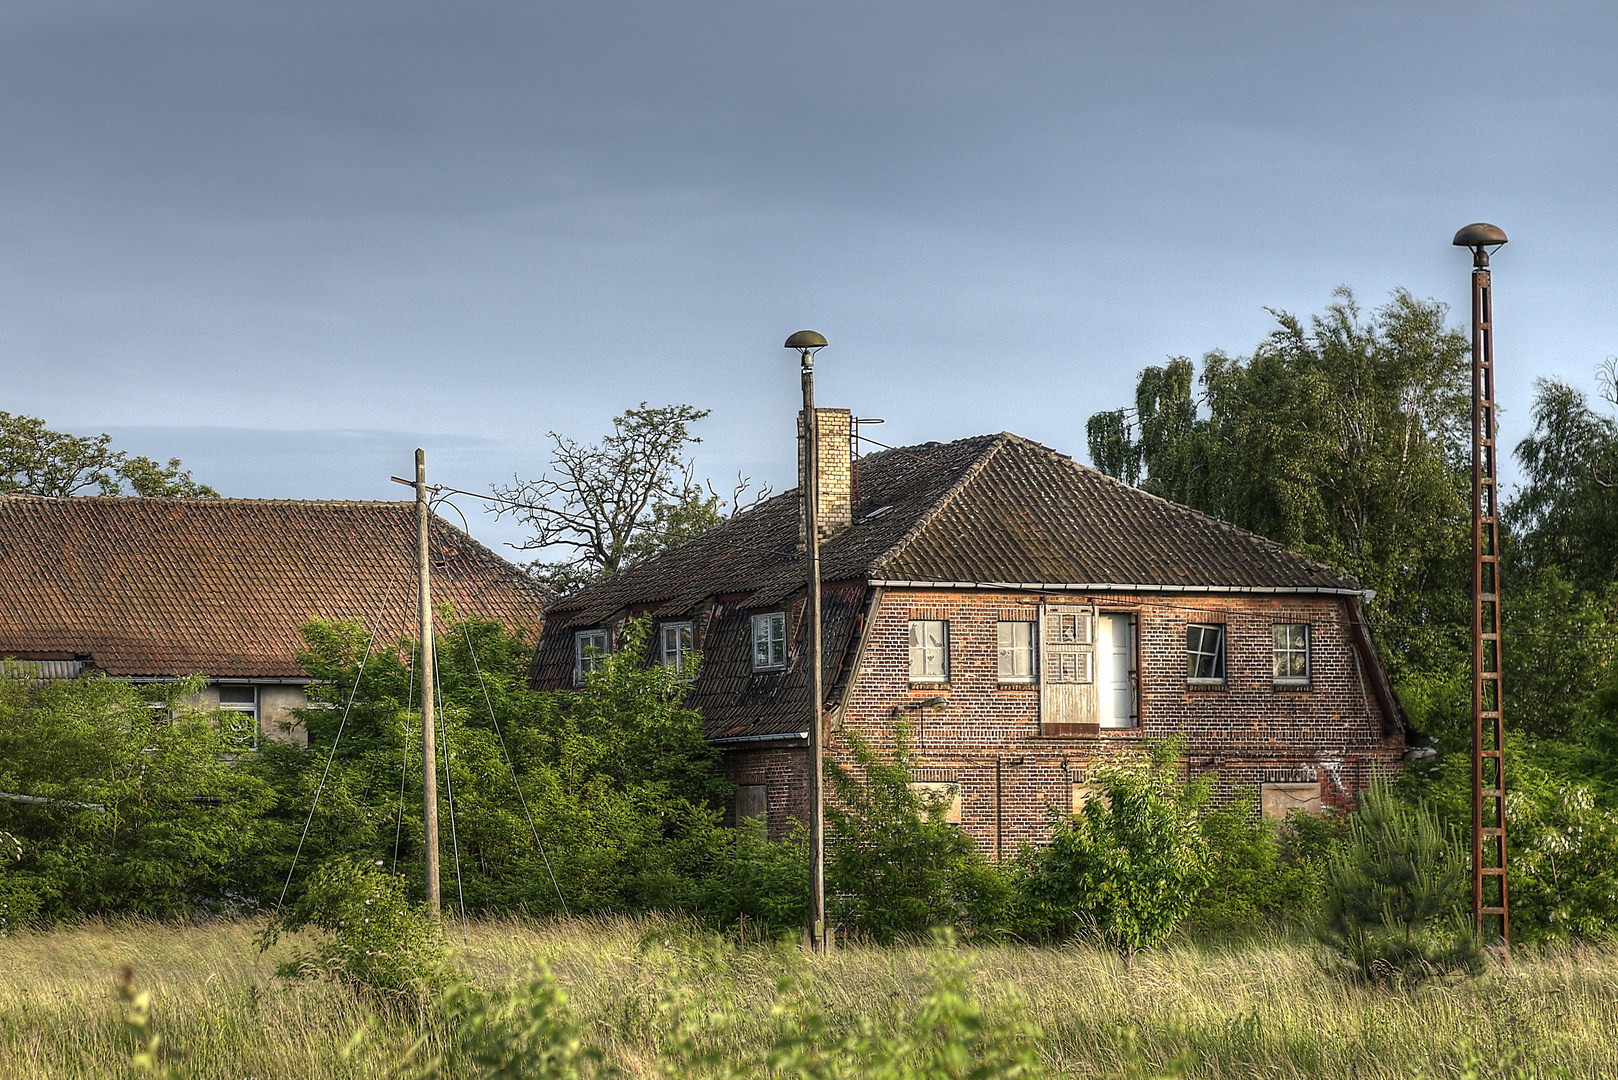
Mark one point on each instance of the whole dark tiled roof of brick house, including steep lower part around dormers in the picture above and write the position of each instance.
(991, 511)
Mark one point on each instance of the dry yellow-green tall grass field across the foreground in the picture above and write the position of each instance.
(1250, 1010)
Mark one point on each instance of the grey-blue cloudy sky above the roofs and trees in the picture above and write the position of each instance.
(292, 242)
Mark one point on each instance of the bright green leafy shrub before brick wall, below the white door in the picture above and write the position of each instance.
(1132, 864)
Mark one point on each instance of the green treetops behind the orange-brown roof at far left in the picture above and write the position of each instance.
(40, 462)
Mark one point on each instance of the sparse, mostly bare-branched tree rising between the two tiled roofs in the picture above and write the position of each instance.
(621, 501)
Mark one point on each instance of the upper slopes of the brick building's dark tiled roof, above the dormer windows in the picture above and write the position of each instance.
(983, 511)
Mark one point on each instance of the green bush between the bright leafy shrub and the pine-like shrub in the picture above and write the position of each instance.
(1260, 872)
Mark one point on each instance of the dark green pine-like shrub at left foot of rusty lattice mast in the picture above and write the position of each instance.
(1397, 895)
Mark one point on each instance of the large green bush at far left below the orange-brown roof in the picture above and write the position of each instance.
(133, 801)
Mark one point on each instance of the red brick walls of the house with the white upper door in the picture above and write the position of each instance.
(988, 741)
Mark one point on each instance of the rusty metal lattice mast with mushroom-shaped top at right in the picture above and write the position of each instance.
(1489, 781)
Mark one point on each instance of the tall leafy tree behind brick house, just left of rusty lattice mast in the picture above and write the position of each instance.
(1345, 440)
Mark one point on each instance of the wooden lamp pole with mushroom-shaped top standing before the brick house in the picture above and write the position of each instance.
(808, 344)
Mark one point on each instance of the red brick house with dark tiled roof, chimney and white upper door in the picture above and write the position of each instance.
(1028, 618)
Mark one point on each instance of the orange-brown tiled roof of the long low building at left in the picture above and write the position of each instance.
(219, 587)
